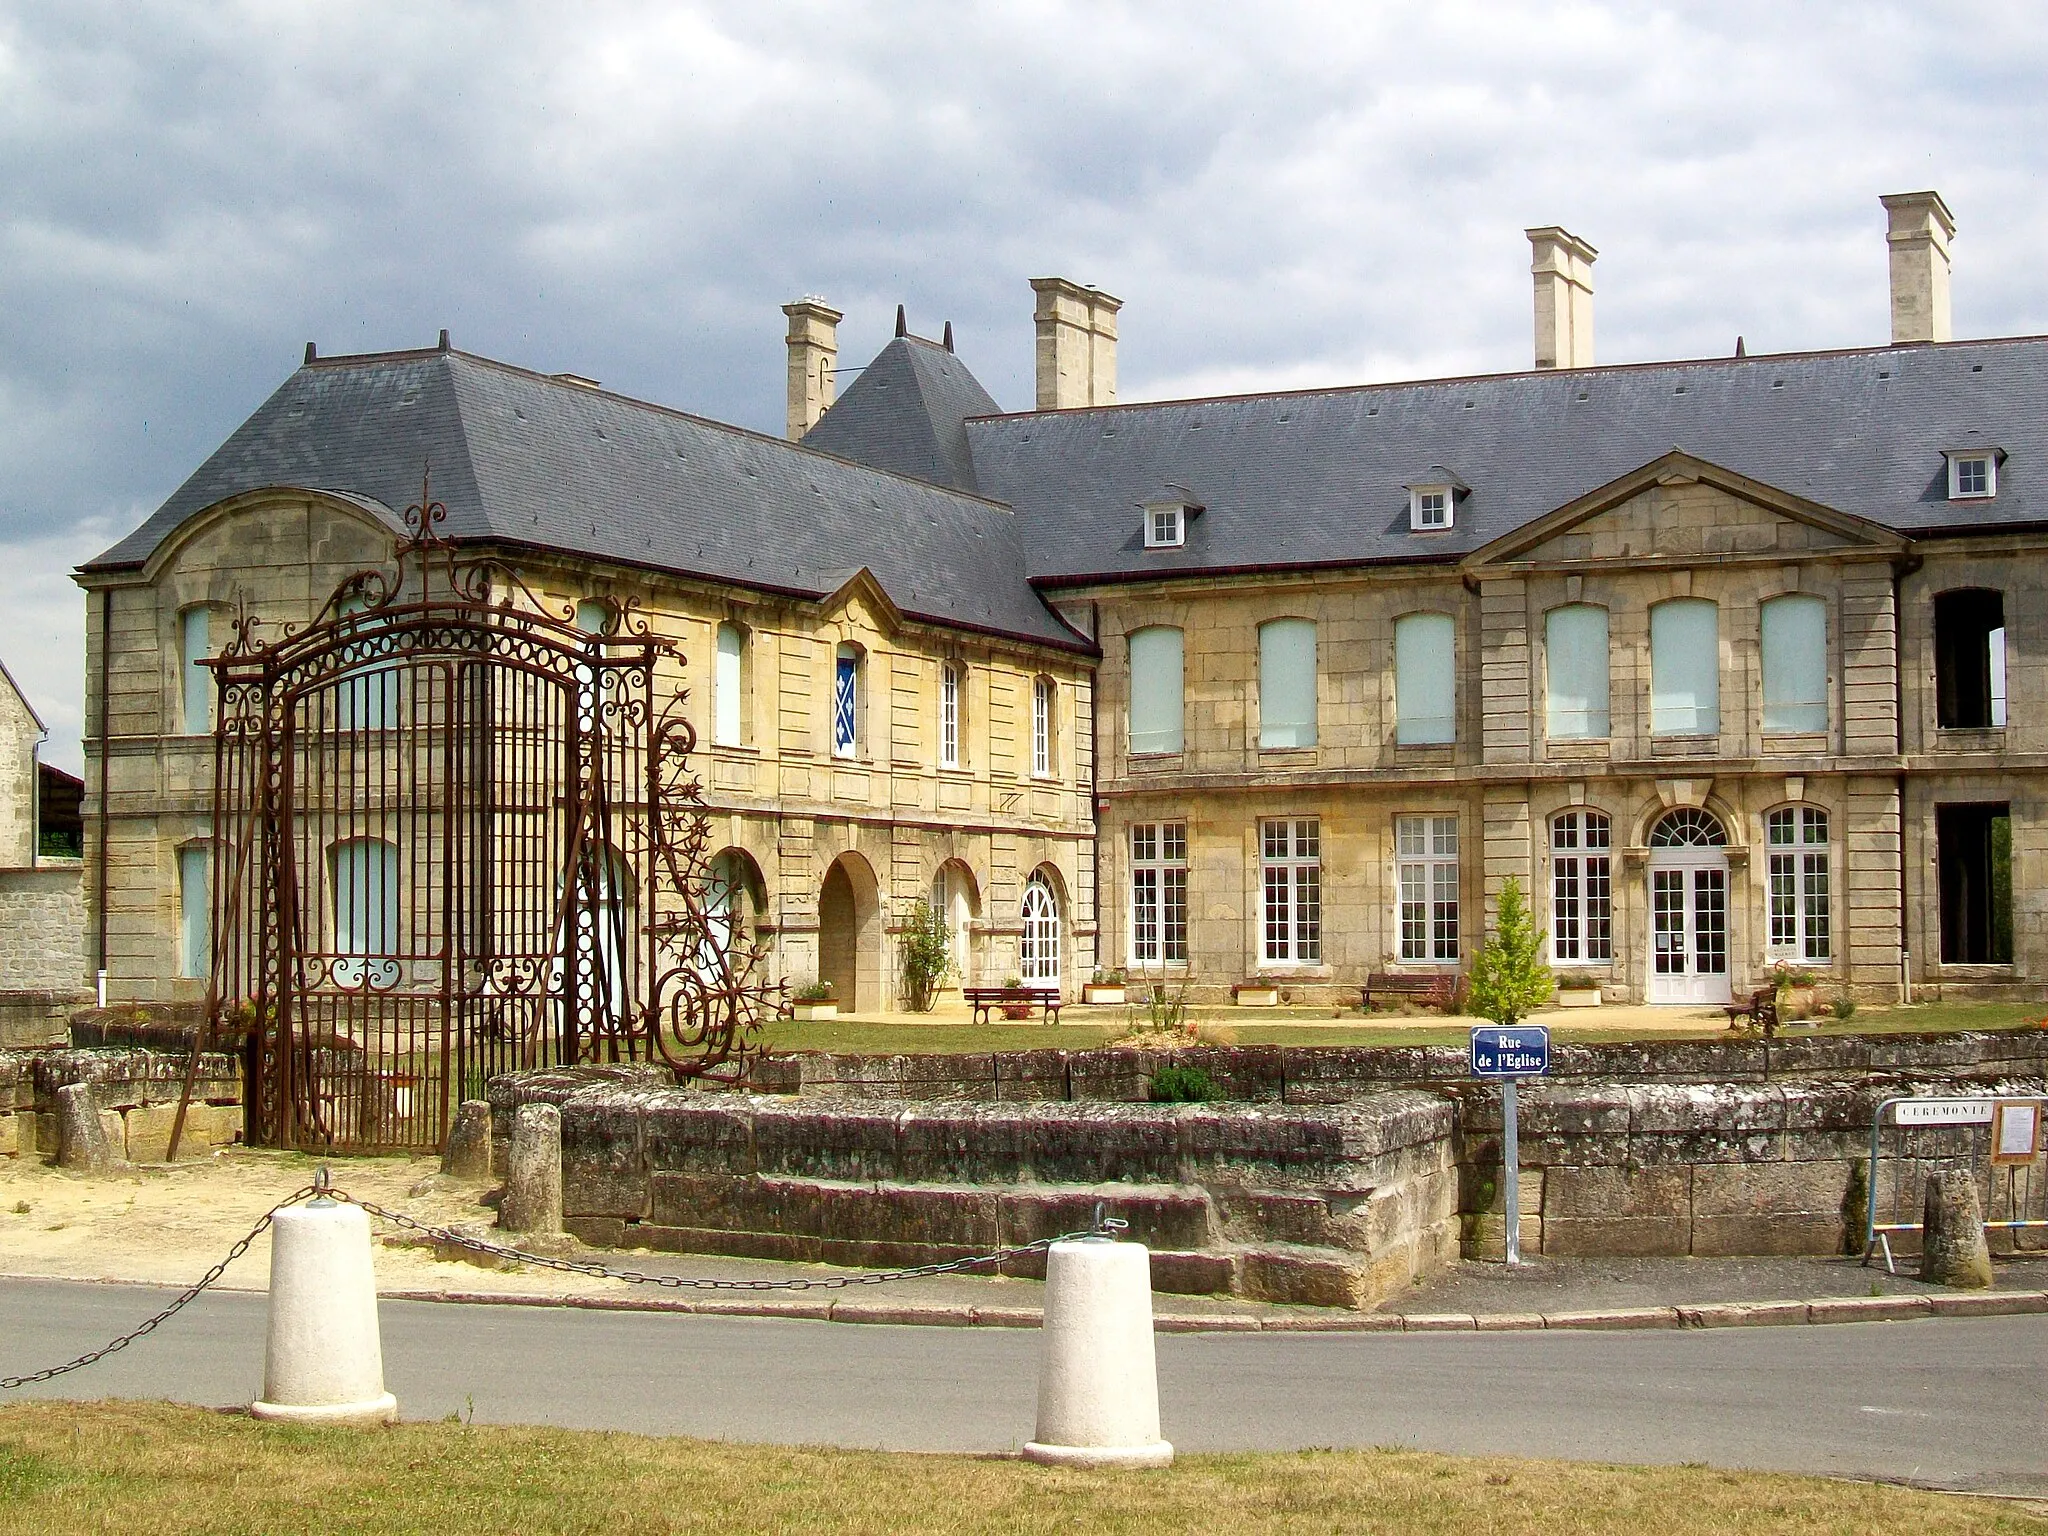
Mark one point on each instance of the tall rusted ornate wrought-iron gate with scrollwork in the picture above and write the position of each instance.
(456, 835)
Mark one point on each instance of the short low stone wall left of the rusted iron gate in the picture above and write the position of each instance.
(136, 1091)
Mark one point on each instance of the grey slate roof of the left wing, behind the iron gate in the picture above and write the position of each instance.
(527, 460)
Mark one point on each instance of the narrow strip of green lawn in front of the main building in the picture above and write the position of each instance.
(1228, 1027)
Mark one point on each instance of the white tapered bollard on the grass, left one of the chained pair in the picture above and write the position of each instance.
(325, 1359)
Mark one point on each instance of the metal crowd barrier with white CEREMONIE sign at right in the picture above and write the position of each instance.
(1932, 1132)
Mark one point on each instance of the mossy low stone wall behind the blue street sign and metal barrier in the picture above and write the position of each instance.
(1703, 1168)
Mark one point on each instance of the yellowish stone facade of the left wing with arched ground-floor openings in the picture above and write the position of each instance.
(888, 818)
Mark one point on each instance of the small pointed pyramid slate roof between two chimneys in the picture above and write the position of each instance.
(906, 413)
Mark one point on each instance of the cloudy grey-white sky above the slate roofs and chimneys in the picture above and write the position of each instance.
(1281, 194)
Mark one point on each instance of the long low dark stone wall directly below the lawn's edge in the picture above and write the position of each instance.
(1265, 1074)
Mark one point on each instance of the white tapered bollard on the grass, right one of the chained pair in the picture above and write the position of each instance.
(1099, 1381)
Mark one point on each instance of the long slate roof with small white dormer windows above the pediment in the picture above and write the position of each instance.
(1318, 478)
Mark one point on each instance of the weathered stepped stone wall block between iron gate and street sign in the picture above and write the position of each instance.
(1330, 1205)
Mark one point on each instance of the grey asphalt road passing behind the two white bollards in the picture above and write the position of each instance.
(1949, 1402)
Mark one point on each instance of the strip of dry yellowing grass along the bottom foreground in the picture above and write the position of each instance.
(130, 1467)
